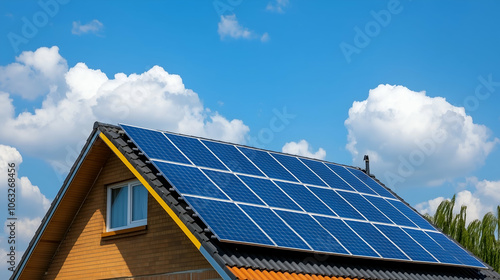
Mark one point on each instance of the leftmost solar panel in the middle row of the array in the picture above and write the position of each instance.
(189, 180)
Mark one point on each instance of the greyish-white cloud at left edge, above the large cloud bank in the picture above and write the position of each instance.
(34, 74)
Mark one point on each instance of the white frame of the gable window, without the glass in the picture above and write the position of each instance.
(130, 223)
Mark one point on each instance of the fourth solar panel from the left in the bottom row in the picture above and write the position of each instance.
(347, 237)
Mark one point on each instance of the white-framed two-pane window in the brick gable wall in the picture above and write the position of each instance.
(127, 206)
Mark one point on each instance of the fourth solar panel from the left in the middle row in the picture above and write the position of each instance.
(305, 198)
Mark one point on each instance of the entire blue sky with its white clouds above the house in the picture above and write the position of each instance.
(423, 75)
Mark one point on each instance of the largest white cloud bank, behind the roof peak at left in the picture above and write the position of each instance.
(57, 130)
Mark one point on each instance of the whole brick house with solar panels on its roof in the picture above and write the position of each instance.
(137, 206)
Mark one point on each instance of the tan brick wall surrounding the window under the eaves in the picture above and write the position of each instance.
(161, 249)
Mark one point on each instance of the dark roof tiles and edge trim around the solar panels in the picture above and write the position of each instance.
(231, 260)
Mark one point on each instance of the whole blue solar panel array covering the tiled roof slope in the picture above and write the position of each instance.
(250, 196)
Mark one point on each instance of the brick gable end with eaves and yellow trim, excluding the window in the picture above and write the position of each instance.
(72, 230)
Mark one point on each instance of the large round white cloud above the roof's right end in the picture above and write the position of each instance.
(414, 138)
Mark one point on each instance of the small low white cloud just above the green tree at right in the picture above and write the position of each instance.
(480, 197)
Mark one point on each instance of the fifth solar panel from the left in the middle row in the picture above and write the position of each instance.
(337, 203)
